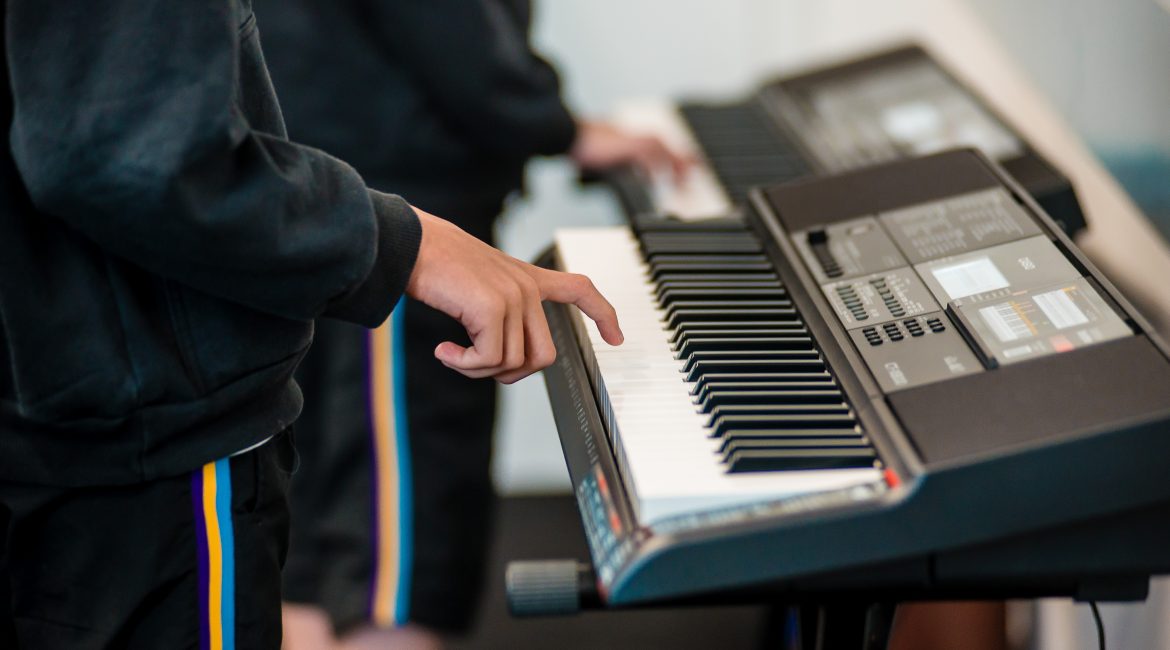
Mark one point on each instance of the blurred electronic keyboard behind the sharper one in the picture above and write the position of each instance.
(869, 110)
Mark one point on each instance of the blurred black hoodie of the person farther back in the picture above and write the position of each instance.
(444, 101)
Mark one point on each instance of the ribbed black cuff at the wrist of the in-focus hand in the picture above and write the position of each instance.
(400, 236)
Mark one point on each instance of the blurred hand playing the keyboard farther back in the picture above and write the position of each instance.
(601, 147)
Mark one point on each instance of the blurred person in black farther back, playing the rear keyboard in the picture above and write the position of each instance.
(393, 506)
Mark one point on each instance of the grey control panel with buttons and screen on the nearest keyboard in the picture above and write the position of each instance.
(954, 287)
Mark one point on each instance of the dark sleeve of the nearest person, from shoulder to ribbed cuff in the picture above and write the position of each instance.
(128, 127)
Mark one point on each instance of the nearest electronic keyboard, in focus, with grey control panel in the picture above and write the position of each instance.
(899, 383)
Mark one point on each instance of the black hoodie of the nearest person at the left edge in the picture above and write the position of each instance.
(164, 248)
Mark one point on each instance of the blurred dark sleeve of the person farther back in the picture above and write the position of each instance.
(474, 61)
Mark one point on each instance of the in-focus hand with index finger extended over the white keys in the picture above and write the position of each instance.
(498, 300)
